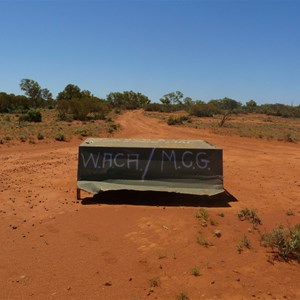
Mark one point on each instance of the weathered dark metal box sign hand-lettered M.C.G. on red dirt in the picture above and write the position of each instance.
(184, 166)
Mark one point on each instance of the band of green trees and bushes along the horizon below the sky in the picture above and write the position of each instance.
(72, 103)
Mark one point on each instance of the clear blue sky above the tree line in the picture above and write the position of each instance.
(206, 49)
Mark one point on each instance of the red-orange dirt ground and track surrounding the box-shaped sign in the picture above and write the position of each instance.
(54, 247)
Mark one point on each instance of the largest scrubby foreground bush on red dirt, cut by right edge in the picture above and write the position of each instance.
(285, 242)
